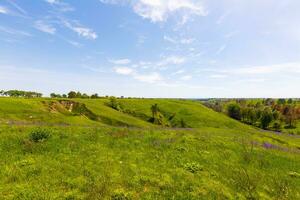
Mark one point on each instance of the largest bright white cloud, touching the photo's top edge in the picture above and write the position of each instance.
(161, 10)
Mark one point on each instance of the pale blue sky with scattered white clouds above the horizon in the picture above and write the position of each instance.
(152, 48)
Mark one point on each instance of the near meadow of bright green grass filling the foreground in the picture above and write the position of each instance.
(114, 163)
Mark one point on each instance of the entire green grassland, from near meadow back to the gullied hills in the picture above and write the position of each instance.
(95, 152)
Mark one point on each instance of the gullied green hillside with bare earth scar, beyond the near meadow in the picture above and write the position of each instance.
(137, 112)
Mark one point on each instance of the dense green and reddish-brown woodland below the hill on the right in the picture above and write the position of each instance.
(270, 114)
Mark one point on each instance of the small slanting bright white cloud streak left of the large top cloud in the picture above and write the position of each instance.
(80, 30)
